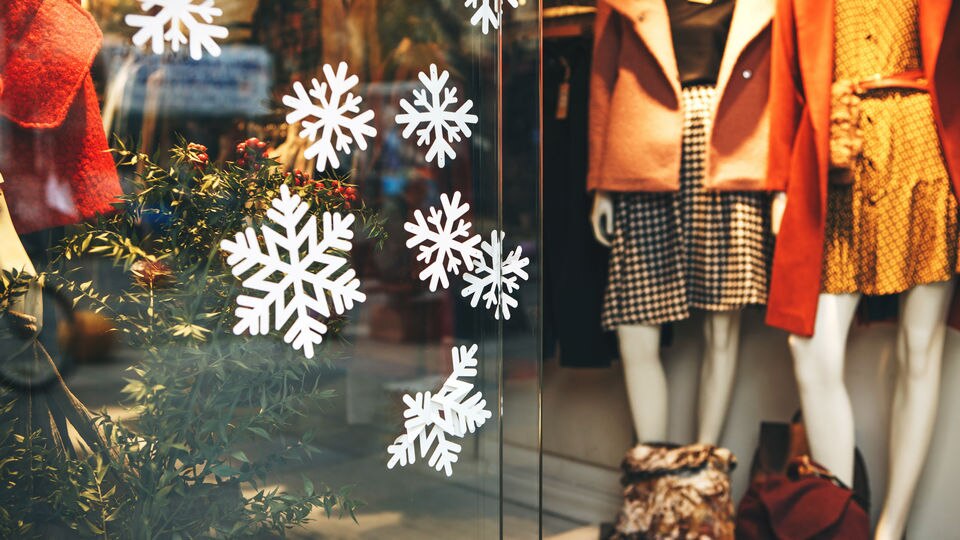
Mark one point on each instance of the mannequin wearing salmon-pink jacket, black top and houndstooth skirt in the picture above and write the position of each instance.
(634, 170)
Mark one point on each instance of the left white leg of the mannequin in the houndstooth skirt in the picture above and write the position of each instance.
(645, 379)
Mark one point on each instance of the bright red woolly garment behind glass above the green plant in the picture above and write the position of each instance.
(53, 151)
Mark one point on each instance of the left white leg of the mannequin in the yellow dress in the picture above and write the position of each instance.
(818, 364)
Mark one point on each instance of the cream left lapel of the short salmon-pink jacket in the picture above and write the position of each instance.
(651, 22)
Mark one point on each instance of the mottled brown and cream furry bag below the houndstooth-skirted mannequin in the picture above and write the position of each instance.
(677, 492)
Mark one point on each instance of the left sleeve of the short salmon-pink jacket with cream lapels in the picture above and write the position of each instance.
(603, 77)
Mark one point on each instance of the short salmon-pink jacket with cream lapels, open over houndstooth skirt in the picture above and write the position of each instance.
(636, 121)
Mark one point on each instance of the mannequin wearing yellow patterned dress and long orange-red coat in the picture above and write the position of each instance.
(905, 139)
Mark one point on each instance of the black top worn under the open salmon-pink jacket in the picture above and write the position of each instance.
(699, 36)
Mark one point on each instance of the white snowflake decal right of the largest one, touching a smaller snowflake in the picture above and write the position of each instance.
(444, 239)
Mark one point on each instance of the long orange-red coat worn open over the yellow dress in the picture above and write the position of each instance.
(802, 75)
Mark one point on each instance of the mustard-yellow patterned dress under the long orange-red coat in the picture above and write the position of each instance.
(895, 227)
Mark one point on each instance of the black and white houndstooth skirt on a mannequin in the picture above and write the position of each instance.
(693, 248)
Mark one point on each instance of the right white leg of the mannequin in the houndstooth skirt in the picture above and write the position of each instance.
(717, 373)
